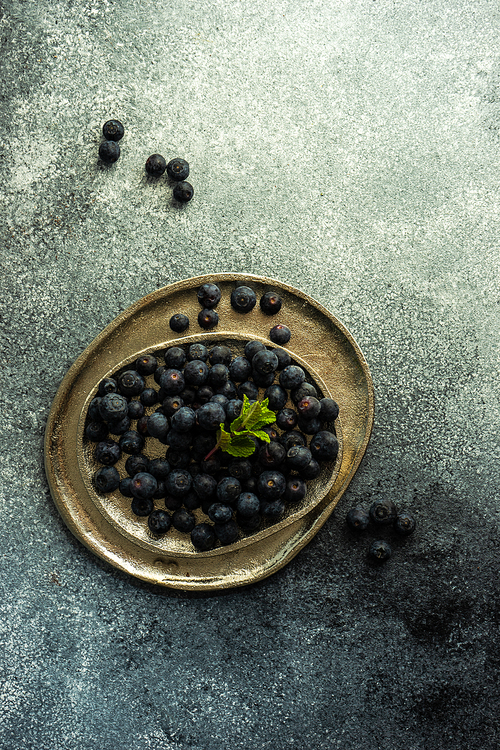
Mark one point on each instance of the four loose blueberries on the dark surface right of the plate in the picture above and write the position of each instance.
(381, 513)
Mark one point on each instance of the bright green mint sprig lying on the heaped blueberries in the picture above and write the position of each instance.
(238, 441)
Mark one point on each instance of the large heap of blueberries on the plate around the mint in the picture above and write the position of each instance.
(195, 391)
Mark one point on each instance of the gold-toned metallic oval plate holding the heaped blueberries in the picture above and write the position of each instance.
(105, 524)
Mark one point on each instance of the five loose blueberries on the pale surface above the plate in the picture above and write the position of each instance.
(177, 169)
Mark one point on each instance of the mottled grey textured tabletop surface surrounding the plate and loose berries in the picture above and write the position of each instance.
(351, 149)
